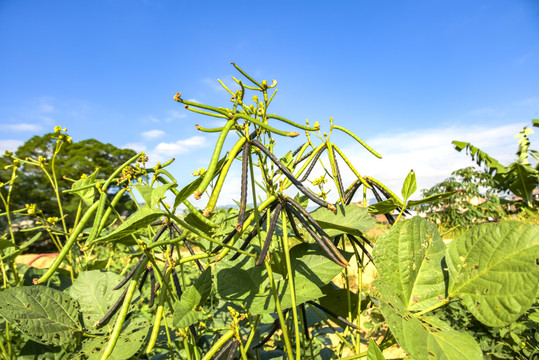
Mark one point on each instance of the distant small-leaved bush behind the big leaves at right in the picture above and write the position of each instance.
(474, 200)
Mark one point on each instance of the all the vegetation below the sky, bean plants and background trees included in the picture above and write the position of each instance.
(286, 274)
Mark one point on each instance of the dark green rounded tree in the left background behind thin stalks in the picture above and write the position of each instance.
(32, 185)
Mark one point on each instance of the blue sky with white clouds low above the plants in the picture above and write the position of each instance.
(406, 76)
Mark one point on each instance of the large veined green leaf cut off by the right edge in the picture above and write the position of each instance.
(493, 269)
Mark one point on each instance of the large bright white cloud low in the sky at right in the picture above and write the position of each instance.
(429, 153)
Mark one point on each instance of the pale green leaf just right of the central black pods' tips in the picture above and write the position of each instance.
(349, 219)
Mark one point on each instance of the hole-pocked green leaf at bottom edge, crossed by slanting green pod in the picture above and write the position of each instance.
(129, 343)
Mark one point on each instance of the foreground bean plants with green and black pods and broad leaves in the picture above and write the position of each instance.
(258, 282)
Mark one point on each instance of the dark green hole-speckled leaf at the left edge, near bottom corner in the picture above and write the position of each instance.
(45, 315)
